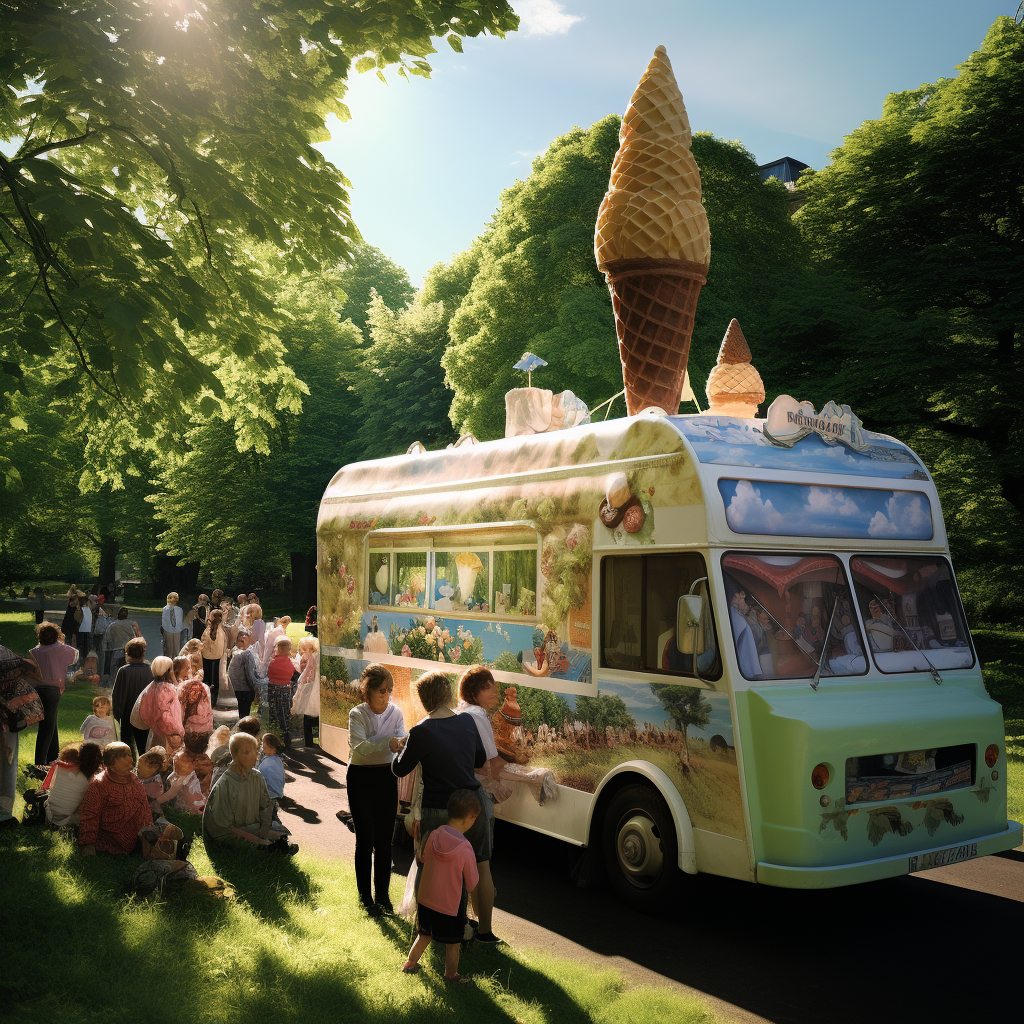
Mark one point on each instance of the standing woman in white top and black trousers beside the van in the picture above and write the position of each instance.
(376, 734)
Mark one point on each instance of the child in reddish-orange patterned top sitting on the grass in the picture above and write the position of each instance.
(115, 807)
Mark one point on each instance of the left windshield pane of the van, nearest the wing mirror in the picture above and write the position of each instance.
(786, 611)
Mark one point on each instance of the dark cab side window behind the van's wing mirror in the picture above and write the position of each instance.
(639, 599)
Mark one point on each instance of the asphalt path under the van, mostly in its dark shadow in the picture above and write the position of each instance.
(938, 947)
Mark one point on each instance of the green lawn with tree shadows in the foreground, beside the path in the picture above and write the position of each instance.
(291, 946)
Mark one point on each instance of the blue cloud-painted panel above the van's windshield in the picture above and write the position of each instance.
(770, 507)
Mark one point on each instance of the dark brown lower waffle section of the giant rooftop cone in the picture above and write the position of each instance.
(655, 303)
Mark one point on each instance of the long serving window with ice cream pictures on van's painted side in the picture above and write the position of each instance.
(491, 573)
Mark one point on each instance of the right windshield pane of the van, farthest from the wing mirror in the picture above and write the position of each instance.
(912, 603)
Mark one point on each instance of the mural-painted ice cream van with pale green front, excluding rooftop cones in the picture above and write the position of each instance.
(722, 644)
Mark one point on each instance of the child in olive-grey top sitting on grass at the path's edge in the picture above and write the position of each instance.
(240, 807)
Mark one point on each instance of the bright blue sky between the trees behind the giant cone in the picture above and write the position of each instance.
(429, 159)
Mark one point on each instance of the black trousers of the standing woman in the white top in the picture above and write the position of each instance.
(373, 799)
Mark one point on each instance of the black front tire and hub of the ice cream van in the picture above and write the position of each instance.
(641, 849)
